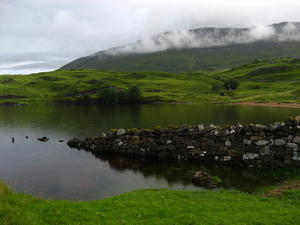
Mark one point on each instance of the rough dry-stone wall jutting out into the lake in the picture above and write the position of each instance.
(247, 145)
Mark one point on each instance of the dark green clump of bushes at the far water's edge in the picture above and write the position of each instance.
(110, 96)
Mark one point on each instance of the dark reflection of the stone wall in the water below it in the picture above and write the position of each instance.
(182, 172)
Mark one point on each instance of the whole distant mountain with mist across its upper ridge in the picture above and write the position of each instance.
(197, 49)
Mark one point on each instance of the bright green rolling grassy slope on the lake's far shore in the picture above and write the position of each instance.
(273, 80)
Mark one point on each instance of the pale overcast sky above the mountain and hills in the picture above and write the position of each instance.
(42, 35)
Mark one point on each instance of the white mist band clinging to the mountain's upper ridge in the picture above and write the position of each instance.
(209, 37)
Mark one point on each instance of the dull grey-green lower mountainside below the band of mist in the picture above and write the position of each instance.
(182, 60)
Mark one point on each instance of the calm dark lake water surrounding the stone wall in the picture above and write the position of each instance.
(53, 170)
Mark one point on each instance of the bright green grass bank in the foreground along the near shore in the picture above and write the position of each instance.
(153, 207)
